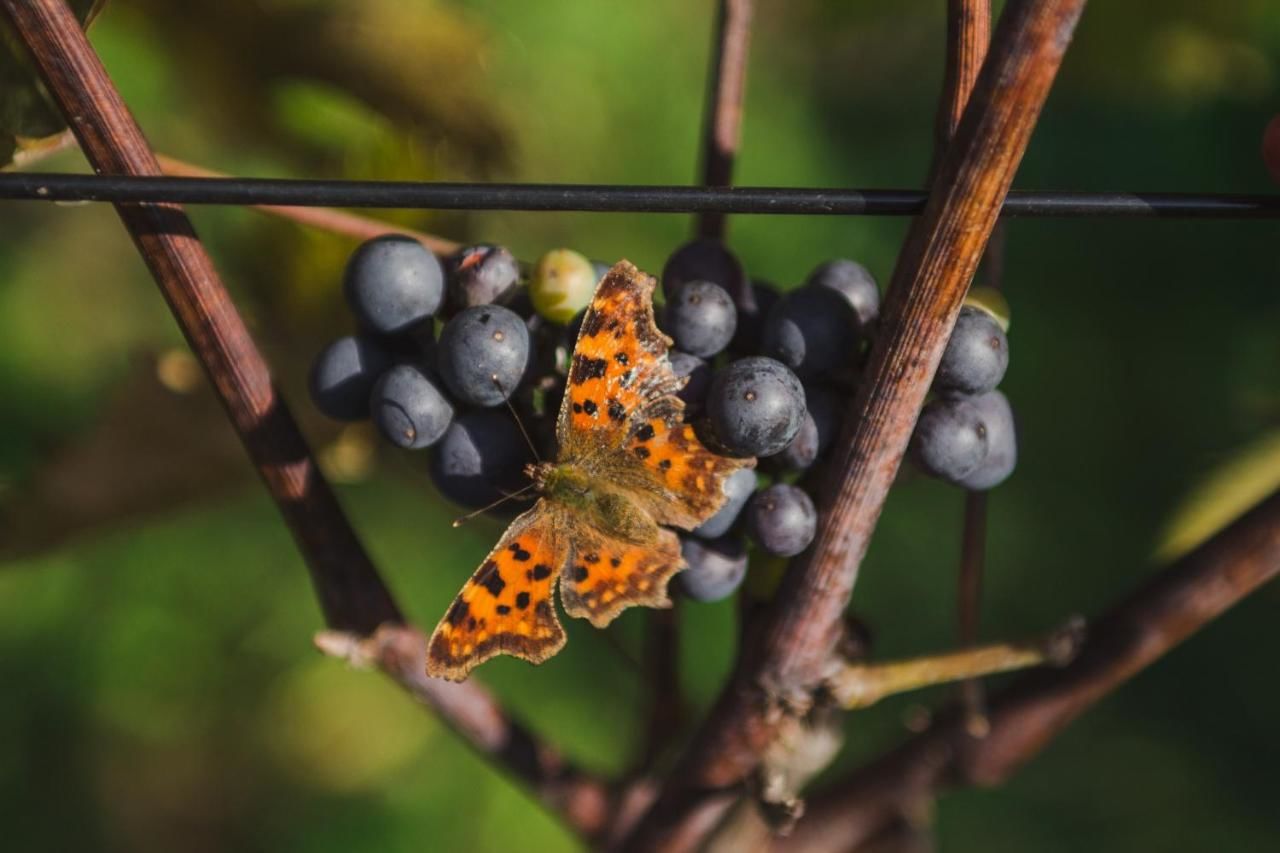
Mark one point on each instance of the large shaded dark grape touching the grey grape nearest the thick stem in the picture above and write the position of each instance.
(812, 331)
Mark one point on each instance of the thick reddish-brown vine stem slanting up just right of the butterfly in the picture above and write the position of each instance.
(797, 637)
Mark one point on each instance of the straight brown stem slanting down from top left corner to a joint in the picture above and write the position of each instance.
(351, 594)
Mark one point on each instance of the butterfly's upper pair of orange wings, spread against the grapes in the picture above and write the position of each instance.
(621, 419)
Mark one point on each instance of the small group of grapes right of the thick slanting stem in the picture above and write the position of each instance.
(966, 434)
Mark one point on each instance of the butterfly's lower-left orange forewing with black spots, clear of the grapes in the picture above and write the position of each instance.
(506, 608)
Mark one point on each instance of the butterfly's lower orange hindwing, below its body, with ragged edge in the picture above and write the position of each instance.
(607, 574)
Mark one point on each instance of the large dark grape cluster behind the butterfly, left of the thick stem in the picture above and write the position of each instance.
(444, 349)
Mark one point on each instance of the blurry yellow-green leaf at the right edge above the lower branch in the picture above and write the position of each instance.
(1229, 491)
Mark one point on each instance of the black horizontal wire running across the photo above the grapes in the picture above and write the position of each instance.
(609, 199)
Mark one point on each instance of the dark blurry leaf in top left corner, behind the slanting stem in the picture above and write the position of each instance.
(28, 115)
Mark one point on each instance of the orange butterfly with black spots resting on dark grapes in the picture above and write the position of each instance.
(628, 466)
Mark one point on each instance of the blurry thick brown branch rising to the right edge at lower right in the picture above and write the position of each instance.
(1036, 708)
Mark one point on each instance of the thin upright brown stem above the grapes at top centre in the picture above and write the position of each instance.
(724, 121)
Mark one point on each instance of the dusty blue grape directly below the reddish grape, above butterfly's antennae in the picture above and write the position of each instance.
(483, 354)
